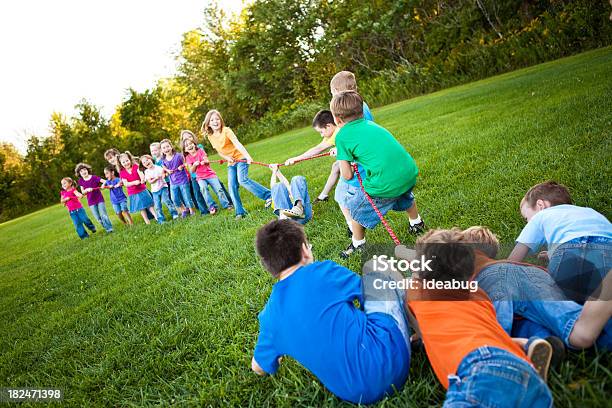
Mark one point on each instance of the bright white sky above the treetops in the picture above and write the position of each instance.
(54, 53)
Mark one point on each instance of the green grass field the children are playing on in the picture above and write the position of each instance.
(167, 315)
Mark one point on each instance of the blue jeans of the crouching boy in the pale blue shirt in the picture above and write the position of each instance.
(579, 266)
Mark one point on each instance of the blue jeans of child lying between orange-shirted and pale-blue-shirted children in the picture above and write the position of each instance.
(531, 293)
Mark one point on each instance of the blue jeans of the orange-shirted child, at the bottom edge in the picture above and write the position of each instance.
(492, 377)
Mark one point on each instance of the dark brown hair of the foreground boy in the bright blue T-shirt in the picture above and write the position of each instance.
(279, 245)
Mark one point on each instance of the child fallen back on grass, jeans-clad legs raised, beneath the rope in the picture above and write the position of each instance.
(290, 200)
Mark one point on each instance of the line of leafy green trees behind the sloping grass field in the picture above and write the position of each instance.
(268, 70)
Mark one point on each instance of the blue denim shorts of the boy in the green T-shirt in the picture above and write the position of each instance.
(361, 210)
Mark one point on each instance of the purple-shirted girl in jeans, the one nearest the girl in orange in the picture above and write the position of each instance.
(174, 164)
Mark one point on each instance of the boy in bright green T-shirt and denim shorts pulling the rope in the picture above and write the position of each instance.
(391, 171)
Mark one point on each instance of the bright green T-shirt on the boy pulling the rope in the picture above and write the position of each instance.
(390, 170)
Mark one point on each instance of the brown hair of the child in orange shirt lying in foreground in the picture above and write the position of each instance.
(451, 258)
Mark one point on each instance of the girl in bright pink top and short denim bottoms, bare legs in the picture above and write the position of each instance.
(133, 179)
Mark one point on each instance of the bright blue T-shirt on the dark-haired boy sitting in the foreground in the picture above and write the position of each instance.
(311, 317)
